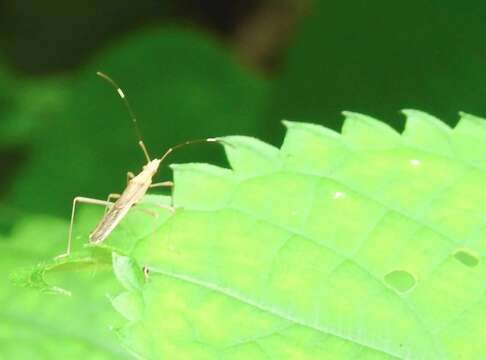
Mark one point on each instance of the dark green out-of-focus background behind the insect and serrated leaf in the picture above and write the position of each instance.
(195, 68)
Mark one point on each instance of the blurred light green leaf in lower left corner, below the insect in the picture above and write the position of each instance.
(35, 325)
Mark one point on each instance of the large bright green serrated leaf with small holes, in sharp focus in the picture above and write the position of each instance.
(365, 245)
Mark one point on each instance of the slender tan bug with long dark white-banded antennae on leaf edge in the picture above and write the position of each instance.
(137, 185)
